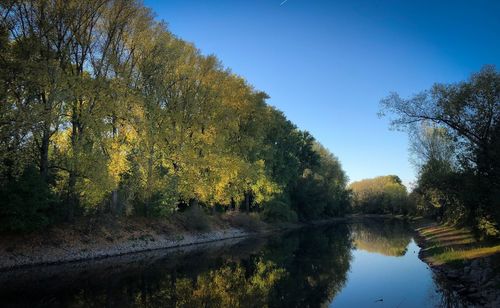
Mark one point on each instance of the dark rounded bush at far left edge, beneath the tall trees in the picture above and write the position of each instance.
(25, 203)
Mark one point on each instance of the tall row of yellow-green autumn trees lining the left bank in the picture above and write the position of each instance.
(103, 110)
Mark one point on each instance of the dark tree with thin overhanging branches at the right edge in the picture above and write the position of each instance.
(465, 117)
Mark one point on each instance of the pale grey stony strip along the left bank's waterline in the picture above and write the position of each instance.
(69, 248)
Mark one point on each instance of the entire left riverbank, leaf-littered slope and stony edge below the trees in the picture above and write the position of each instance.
(91, 239)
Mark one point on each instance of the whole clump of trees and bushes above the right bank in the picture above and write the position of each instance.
(455, 134)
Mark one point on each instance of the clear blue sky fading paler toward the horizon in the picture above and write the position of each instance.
(327, 64)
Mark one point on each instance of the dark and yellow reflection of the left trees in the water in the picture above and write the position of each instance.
(304, 268)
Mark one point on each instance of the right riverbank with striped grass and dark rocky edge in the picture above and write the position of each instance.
(471, 268)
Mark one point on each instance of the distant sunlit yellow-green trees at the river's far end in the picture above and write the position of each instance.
(380, 195)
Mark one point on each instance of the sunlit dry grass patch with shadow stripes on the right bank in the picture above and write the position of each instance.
(447, 244)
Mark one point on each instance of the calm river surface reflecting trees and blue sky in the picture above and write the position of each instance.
(369, 264)
